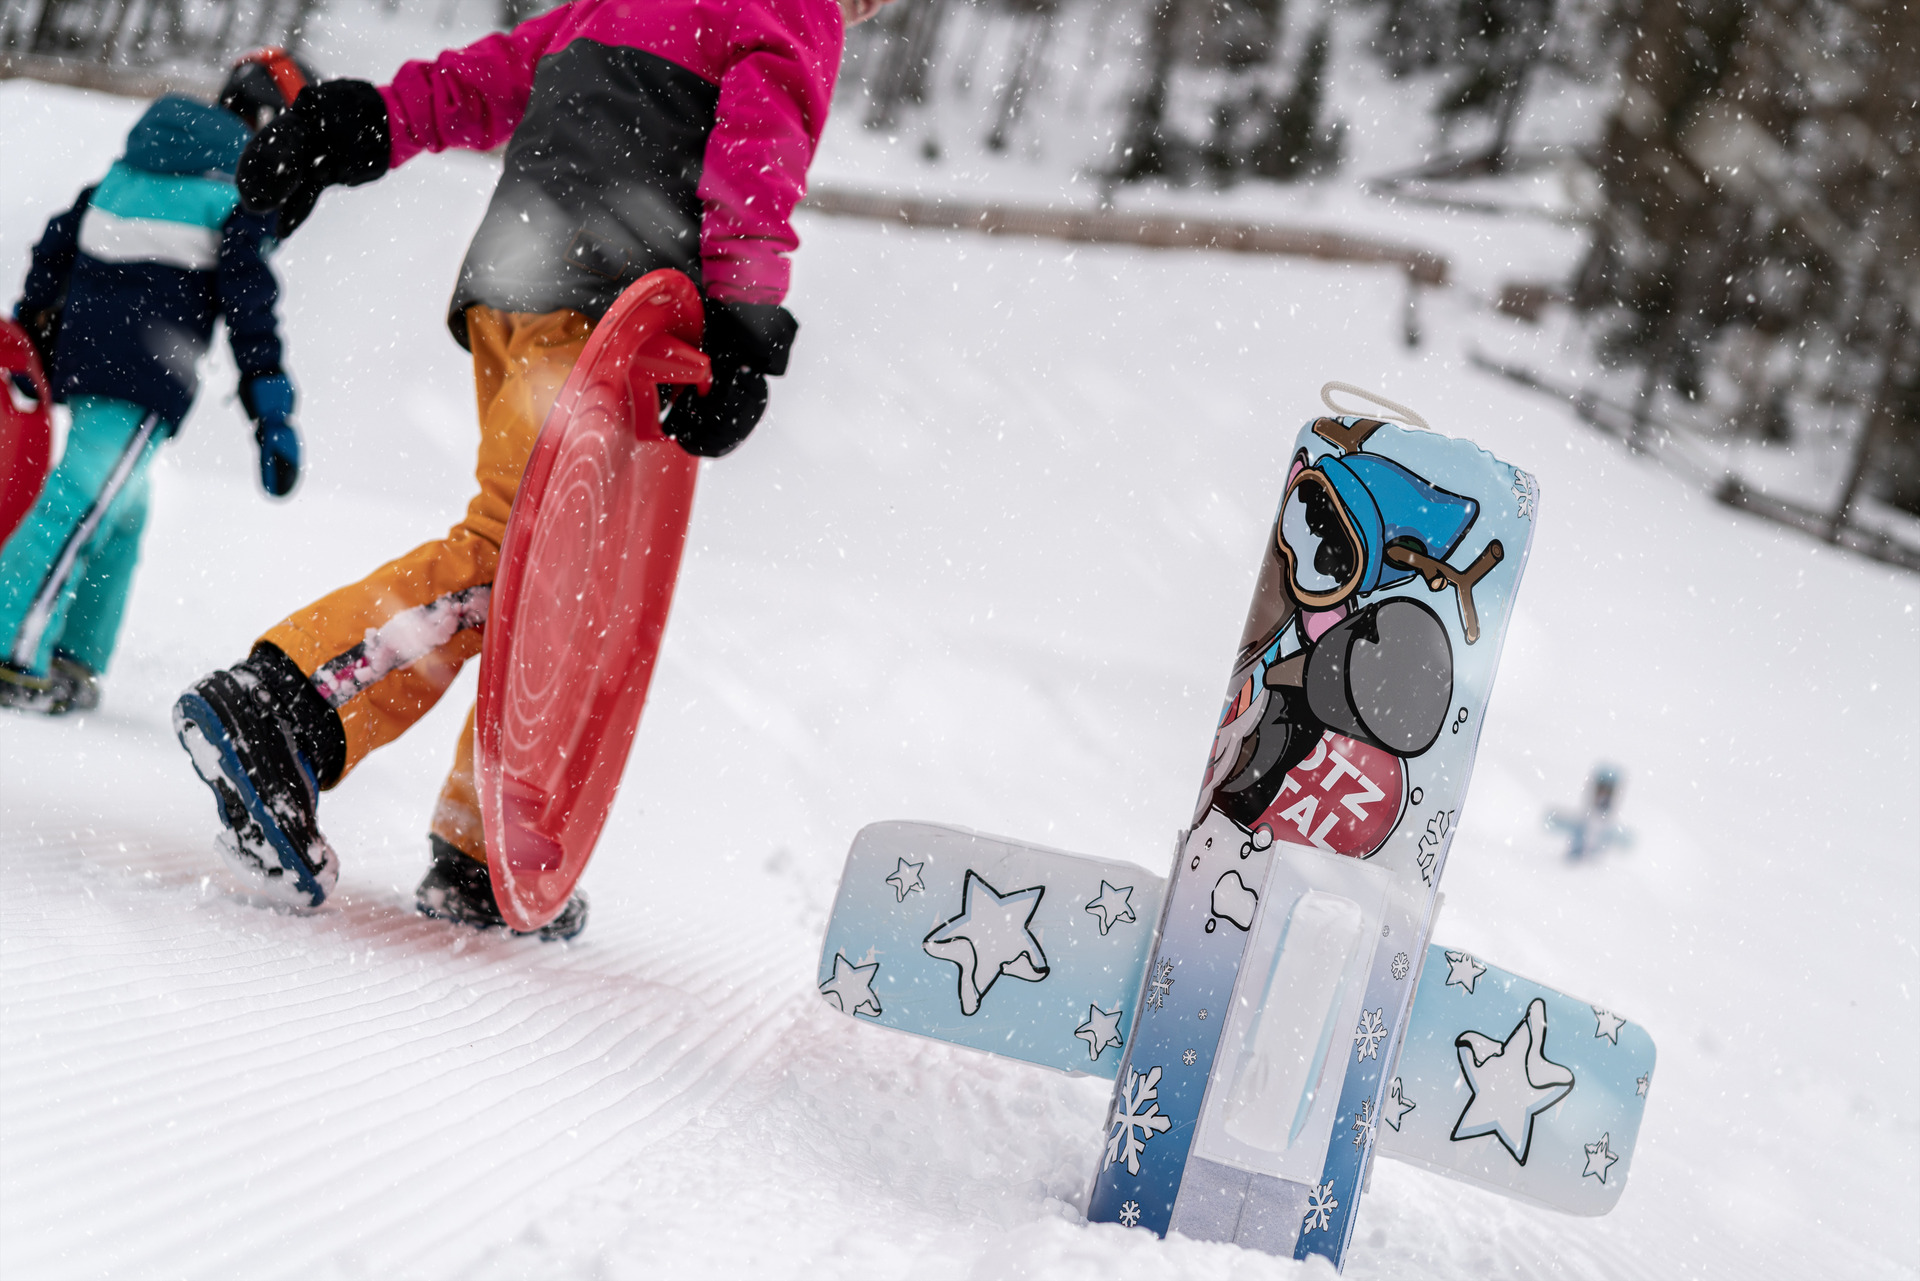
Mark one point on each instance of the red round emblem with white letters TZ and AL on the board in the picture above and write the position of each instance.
(1345, 798)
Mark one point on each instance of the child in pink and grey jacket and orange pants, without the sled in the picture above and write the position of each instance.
(640, 135)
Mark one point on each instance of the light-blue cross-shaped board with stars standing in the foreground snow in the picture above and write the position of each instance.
(1276, 1011)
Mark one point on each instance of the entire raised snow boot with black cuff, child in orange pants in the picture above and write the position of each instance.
(254, 733)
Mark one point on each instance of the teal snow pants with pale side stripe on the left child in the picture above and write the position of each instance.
(66, 571)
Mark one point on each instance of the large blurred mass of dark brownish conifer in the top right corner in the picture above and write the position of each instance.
(1760, 243)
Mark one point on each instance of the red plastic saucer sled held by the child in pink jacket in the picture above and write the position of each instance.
(587, 575)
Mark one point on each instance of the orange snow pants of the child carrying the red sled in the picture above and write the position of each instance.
(387, 648)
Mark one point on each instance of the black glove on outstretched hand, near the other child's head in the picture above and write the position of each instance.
(335, 133)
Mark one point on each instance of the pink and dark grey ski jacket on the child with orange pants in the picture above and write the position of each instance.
(640, 135)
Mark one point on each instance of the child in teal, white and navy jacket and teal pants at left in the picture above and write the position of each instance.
(122, 301)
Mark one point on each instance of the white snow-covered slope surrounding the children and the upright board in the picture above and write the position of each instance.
(984, 564)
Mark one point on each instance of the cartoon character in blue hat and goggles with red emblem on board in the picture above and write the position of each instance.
(1339, 679)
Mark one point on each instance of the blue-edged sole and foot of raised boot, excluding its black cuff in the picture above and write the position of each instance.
(264, 788)
